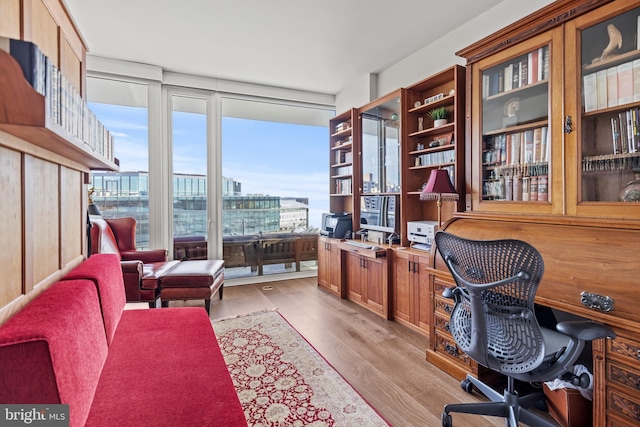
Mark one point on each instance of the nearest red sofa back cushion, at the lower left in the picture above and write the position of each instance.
(53, 350)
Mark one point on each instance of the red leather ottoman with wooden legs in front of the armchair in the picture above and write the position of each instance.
(197, 279)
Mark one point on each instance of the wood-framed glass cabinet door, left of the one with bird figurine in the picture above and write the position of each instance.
(516, 131)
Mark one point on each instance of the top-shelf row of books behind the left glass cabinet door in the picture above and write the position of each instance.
(525, 70)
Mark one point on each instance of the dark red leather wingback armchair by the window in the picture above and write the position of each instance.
(141, 270)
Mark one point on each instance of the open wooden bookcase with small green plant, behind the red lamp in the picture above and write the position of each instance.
(427, 147)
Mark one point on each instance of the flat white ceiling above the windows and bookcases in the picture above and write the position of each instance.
(320, 46)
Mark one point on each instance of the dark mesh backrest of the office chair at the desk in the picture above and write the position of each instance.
(498, 278)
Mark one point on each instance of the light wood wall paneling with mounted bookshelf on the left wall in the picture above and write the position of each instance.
(44, 165)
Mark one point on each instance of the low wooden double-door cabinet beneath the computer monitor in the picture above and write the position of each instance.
(366, 278)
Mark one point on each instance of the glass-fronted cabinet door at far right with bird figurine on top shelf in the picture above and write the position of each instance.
(603, 147)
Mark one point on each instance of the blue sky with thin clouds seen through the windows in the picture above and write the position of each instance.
(269, 158)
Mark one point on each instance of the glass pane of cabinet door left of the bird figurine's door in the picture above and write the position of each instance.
(515, 132)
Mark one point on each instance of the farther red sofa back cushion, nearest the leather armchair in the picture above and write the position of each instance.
(105, 273)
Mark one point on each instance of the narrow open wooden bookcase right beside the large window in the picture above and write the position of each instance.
(343, 162)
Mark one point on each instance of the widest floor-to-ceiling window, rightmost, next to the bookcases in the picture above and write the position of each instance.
(275, 173)
